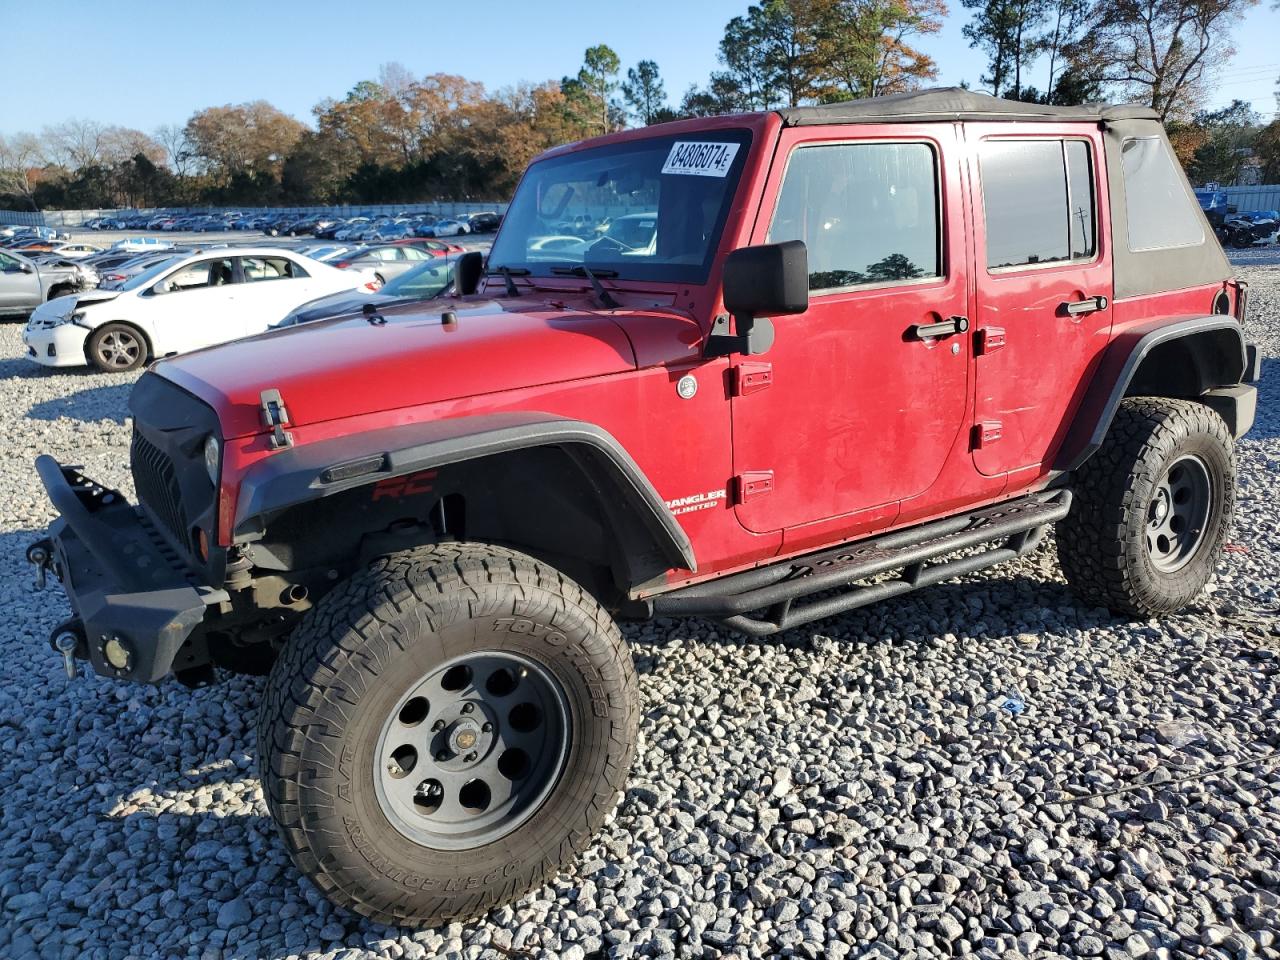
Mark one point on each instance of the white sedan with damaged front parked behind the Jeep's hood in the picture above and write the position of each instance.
(180, 305)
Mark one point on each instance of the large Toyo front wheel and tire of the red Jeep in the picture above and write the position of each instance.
(445, 732)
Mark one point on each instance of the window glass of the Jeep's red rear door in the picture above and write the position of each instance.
(1039, 202)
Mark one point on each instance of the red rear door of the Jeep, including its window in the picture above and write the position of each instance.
(1043, 313)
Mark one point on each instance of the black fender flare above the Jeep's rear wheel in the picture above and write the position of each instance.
(1227, 367)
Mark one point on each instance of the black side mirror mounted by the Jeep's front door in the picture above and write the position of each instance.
(771, 280)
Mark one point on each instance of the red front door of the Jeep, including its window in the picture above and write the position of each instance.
(860, 400)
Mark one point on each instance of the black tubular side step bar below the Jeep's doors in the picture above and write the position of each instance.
(1008, 529)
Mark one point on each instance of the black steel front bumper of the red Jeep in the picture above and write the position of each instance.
(124, 579)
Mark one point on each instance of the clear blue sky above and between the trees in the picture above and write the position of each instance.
(141, 65)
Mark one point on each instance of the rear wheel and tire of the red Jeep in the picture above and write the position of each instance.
(1153, 509)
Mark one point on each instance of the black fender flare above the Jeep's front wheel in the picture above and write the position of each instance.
(316, 470)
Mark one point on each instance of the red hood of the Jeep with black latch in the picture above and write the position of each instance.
(348, 368)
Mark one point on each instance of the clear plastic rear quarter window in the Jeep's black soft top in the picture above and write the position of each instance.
(1158, 208)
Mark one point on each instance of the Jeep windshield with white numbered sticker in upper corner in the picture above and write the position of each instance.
(646, 211)
